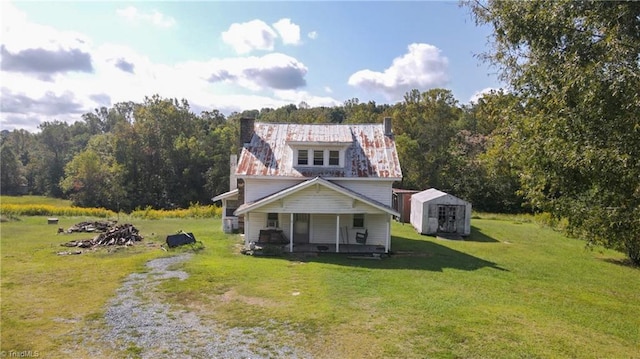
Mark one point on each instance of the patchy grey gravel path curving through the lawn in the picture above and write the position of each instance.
(142, 326)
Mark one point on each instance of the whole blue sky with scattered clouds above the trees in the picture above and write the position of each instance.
(63, 59)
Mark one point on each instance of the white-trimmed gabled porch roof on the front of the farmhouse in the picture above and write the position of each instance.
(248, 207)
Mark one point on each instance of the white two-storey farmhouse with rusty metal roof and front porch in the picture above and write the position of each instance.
(315, 187)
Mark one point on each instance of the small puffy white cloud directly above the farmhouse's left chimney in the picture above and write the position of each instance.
(248, 36)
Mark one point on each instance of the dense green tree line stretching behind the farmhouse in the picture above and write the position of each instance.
(161, 154)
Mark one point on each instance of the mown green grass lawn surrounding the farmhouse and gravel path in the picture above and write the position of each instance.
(511, 290)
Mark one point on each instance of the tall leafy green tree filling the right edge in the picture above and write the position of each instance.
(576, 67)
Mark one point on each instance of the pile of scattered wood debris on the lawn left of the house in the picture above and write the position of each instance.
(113, 235)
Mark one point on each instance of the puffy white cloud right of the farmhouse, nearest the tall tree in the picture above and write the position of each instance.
(422, 67)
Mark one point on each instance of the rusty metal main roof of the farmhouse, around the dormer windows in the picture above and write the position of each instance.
(369, 152)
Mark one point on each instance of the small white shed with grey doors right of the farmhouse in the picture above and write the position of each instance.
(434, 211)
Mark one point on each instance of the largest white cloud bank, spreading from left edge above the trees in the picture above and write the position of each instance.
(120, 73)
